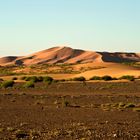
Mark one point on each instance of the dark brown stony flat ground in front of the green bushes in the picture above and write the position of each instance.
(71, 111)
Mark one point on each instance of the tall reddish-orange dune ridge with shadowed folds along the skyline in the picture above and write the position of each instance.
(68, 55)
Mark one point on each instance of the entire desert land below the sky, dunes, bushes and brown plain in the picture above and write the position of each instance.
(68, 94)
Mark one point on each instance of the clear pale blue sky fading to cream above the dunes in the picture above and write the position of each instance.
(27, 26)
